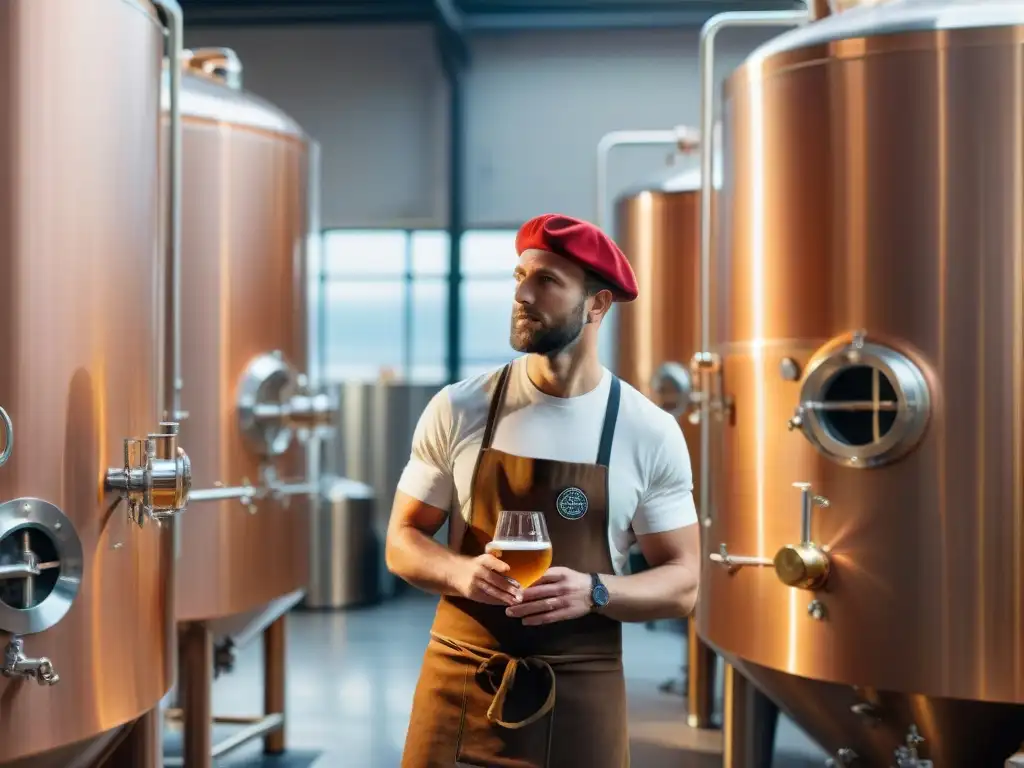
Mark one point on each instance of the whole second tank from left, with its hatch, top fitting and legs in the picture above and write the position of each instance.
(247, 176)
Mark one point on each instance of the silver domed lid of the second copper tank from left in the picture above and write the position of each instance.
(208, 98)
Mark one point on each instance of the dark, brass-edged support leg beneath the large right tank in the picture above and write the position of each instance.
(750, 724)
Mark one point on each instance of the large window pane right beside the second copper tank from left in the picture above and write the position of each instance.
(364, 329)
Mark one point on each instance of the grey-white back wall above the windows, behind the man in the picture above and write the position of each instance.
(537, 106)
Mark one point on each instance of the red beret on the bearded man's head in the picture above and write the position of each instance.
(583, 243)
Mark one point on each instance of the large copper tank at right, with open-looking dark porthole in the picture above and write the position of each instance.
(868, 316)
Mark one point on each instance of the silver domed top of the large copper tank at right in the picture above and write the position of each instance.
(894, 17)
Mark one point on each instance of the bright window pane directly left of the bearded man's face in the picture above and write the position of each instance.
(487, 317)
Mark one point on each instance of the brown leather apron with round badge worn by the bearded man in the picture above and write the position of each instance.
(496, 694)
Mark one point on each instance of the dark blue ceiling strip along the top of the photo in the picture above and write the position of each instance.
(473, 15)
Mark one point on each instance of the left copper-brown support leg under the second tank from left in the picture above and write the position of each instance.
(196, 681)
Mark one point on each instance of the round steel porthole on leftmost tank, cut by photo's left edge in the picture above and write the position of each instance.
(40, 566)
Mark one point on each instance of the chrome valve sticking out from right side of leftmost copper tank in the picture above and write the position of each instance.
(156, 480)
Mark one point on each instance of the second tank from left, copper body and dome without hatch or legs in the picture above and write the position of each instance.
(245, 234)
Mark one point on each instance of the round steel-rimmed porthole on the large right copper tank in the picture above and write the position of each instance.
(863, 404)
